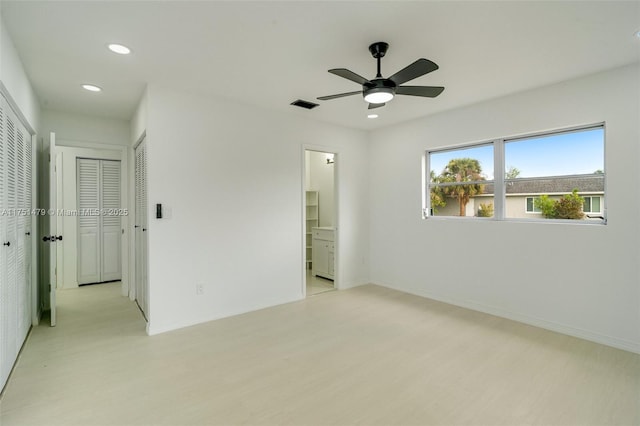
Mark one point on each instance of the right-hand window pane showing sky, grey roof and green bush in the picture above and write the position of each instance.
(550, 168)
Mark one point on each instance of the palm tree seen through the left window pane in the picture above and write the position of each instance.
(463, 170)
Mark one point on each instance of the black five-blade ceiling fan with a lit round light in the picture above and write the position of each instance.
(381, 90)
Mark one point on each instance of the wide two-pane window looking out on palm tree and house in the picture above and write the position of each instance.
(558, 175)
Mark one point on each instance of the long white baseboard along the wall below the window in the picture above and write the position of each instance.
(614, 342)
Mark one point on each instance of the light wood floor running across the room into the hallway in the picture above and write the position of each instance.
(366, 356)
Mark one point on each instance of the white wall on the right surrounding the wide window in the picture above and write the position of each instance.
(580, 280)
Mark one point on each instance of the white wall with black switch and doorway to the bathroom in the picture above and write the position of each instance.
(231, 177)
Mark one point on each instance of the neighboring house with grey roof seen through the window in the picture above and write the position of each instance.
(522, 192)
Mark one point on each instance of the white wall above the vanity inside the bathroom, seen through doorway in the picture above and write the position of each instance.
(321, 179)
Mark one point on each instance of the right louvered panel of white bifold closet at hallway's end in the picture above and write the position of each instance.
(111, 228)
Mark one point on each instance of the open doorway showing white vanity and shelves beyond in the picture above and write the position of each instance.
(320, 222)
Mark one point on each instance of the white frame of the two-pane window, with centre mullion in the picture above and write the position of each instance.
(499, 178)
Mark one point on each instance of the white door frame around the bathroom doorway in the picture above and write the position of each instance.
(336, 212)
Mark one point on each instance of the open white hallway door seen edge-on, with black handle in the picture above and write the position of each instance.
(52, 239)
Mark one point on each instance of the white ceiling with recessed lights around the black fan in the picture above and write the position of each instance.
(270, 53)
